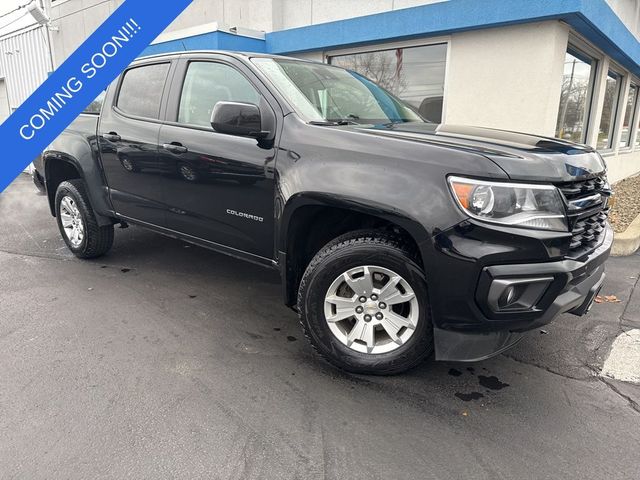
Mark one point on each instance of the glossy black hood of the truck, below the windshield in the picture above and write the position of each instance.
(521, 156)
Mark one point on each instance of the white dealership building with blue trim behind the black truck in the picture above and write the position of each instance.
(563, 68)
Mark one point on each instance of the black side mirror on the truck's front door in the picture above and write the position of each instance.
(235, 118)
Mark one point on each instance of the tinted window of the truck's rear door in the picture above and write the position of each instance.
(141, 90)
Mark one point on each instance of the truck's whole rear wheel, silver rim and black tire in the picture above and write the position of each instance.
(77, 222)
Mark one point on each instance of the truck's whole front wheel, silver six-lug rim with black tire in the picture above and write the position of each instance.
(363, 305)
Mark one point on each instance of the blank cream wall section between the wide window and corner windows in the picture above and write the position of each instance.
(507, 77)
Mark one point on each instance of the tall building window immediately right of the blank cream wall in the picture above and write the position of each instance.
(575, 97)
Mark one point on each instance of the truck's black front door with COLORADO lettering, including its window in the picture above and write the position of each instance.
(218, 187)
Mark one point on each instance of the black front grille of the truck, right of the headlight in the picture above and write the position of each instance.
(587, 214)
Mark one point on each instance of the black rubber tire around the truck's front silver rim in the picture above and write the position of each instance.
(346, 252)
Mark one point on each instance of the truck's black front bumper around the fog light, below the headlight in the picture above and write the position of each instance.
(568, 286)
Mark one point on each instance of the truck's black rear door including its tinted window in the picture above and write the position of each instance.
(128, 142)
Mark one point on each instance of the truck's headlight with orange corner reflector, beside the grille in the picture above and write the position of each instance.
(512, 204)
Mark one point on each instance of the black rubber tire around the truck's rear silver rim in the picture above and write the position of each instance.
(97, 239)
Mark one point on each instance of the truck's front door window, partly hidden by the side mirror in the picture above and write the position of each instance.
(207, 83)
